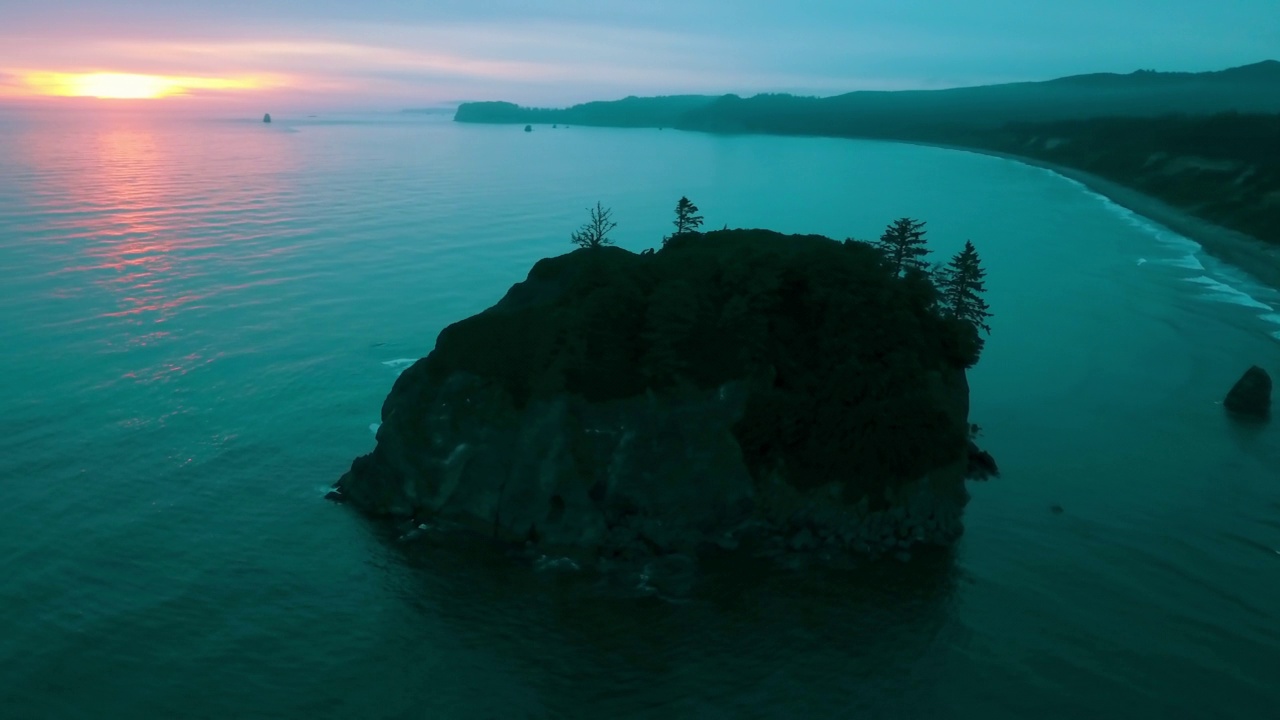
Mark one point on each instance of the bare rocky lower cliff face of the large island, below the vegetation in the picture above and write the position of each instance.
(629, 477)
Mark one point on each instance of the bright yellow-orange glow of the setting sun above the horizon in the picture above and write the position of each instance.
(127, 86)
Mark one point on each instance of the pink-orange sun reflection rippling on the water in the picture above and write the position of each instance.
(162, 230)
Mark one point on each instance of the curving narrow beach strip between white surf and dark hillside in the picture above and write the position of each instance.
(1246, 253)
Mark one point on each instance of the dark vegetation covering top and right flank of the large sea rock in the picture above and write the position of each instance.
(848, 362)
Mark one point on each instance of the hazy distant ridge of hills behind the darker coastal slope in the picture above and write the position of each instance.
(1250, 89)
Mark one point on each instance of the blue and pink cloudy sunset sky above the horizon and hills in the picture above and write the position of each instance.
(395, 54)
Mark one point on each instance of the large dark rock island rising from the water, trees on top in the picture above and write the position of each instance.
(734, 388)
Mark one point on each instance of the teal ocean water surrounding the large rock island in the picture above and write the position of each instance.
(200, 321)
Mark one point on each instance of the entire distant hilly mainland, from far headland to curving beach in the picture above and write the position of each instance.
(1203, 149)
